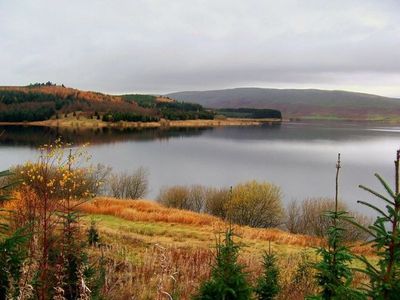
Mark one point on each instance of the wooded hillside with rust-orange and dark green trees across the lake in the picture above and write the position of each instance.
(46, 101)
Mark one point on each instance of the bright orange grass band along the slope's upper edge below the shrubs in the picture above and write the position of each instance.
(150, 211)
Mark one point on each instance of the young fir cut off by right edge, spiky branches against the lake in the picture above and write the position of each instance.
(384, 277)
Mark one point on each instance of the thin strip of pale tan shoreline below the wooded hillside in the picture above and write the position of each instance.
(92, 123)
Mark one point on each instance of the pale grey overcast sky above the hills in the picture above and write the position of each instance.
(161, 46)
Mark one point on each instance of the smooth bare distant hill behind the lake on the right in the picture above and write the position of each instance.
(302, 103)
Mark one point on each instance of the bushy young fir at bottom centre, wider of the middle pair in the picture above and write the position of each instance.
(228, 280)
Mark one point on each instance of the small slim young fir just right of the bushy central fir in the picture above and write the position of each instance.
(268, 285)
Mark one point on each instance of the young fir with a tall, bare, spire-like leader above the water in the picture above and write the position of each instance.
(334, 275)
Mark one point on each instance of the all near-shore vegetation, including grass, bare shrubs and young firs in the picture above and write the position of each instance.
(58, 242)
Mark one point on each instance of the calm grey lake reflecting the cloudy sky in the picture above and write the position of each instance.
(299, 157)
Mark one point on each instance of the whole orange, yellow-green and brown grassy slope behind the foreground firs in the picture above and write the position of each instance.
(146, 243)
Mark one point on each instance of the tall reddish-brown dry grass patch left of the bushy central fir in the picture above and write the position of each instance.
(161, 270)
